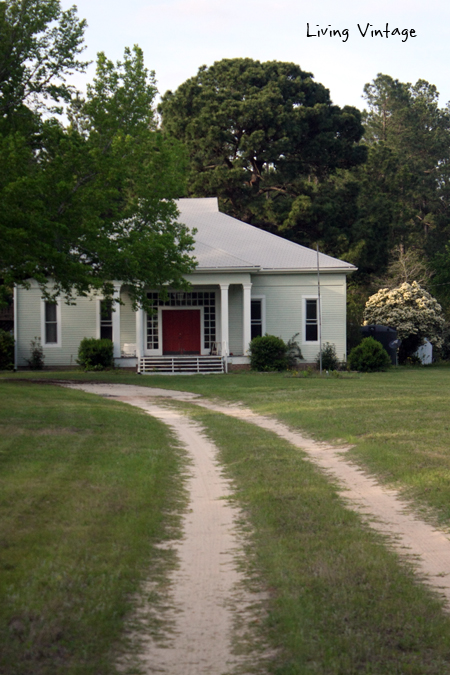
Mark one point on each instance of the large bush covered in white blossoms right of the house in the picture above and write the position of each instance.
(412, 311)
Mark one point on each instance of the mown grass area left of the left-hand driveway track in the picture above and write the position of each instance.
(88, 487)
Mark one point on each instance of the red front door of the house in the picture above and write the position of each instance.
(181, 331)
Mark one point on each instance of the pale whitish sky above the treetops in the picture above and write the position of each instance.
(179, 36)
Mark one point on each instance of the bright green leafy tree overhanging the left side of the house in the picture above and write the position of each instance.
(91, 201)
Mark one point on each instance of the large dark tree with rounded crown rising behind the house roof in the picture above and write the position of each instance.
(267, 140)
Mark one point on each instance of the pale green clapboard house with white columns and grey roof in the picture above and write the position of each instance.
(247, 283)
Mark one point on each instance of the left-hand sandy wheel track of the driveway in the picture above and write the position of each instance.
(208, 595)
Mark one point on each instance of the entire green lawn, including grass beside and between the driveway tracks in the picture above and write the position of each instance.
(339, 602)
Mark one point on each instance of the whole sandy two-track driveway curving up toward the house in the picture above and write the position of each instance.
(208, 578)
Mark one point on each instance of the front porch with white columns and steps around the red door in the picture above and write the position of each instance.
(211, 320)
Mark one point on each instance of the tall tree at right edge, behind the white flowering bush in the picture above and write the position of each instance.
(403, 198)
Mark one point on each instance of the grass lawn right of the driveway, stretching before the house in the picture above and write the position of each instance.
(398, 421)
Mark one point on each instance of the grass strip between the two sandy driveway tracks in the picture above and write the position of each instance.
(340, 603)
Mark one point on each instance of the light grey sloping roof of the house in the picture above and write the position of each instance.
(225, 243)
